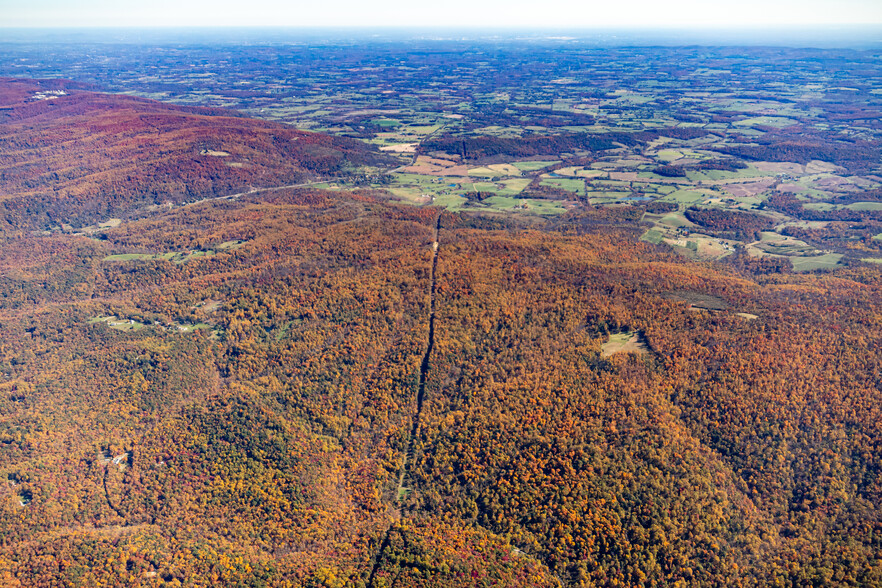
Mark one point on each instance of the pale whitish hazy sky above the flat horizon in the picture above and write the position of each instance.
(447, 13)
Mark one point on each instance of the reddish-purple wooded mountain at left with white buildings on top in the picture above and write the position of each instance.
(70, 155)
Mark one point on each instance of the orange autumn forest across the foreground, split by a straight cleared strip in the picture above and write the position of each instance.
(225, 393)
